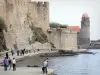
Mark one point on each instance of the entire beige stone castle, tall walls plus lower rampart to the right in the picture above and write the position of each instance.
(19, 15)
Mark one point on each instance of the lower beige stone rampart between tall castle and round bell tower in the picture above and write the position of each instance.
(64, 39)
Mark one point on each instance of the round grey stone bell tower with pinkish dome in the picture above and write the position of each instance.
(85, 31)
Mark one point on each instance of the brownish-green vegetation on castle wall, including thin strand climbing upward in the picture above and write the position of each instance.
(38, 34)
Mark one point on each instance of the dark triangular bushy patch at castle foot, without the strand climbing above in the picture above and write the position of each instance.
(38, 35)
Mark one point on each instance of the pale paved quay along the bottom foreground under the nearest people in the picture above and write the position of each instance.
(25, 71)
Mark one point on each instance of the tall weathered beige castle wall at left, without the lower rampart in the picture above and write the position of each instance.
(16, 14)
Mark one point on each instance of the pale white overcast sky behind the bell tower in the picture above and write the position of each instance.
(70, 12)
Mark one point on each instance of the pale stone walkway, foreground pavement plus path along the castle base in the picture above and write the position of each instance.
(25, 70)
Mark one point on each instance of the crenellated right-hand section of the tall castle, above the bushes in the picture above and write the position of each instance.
(40, 14)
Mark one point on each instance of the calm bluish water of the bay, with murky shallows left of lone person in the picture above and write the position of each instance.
(84, 64)
